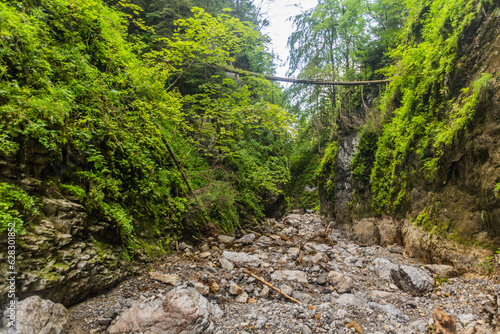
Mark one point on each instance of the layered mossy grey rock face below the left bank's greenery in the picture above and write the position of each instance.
(61, 260)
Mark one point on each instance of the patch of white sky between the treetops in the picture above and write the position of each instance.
(280, 28)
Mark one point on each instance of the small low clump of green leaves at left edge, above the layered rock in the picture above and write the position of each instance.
(15, 205)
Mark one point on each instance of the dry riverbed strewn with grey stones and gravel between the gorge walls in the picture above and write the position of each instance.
(295, 275)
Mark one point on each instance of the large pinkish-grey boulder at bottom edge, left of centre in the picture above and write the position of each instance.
(181, 310)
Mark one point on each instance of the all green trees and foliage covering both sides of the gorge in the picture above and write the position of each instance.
(141, 124)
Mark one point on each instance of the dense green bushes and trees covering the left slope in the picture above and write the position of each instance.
(140, 125)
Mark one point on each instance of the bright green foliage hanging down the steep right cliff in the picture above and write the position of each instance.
(430, 118)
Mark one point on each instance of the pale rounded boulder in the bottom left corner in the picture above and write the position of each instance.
(37, 315)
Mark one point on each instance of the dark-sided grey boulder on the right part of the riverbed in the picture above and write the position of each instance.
(413, 280)
